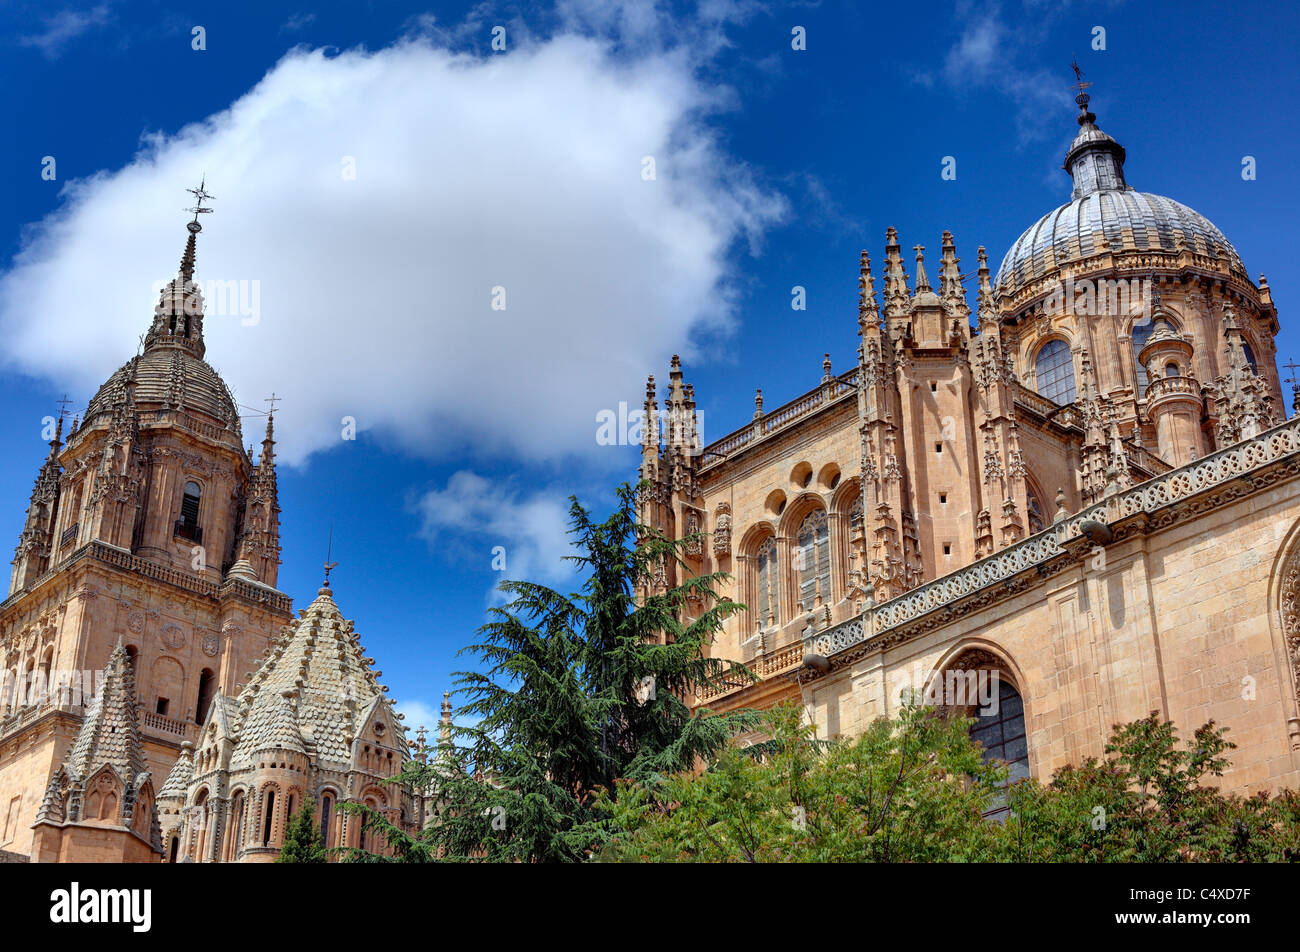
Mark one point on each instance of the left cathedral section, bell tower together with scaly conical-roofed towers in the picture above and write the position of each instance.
(159, 702)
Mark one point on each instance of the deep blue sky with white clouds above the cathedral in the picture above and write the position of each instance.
(523, 168)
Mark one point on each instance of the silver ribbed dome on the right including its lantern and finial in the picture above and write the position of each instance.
(1106, 214)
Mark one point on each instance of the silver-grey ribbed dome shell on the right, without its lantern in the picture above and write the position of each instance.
(1126, 219)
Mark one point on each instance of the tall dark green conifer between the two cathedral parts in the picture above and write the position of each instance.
(574, 694)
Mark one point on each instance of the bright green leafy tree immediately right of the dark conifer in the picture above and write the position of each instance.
(909, 790)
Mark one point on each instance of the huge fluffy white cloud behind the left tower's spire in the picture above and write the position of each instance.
(371, 210)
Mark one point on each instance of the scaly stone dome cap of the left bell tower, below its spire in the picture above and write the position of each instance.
(171, 378)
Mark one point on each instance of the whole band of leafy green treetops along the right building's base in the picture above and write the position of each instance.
(917, 790)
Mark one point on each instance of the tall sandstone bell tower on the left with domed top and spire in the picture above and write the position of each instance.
(149, 526)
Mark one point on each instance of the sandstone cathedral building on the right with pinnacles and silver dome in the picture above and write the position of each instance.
(1086, 487)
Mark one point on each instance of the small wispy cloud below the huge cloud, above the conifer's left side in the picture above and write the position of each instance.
(474, 516)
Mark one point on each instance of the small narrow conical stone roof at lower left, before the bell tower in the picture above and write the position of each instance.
(111, 733)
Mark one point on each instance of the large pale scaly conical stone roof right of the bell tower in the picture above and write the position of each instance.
(311, 694)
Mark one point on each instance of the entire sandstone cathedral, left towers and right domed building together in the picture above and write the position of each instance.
(1085, 491)
